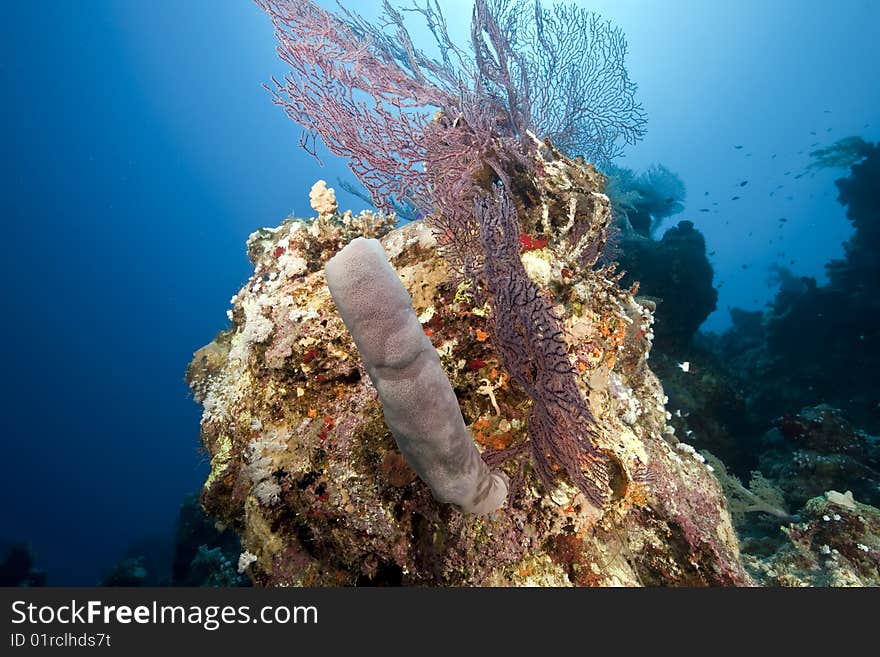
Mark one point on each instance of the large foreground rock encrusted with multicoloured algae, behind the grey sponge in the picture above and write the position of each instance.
(305, 470)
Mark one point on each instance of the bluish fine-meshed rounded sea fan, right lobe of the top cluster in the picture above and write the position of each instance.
(562, 69)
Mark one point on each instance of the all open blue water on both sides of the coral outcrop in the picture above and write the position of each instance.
(140, 151)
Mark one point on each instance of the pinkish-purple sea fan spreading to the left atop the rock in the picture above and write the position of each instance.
(412, 128)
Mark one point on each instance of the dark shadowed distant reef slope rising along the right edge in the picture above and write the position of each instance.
(821, 343)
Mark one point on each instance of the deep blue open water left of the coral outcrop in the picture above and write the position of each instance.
(141, 151)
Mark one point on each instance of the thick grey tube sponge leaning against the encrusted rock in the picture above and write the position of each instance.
(420, 407)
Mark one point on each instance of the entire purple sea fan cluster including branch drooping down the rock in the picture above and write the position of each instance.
(455, 135)
